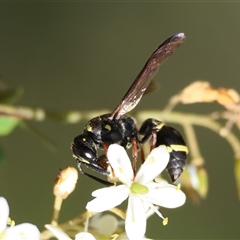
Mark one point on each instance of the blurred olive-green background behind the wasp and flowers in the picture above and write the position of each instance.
(84, 56)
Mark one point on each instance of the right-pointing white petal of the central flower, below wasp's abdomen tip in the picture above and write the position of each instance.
(165, 195)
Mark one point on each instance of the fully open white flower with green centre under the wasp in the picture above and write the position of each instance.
(143, 191)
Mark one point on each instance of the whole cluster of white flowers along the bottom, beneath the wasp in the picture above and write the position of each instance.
(144, 194)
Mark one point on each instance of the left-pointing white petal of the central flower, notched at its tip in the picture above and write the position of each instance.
(107, 198)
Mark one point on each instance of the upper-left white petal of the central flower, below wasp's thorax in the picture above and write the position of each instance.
(120, 163)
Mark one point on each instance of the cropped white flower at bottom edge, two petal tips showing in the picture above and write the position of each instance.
(59, 234)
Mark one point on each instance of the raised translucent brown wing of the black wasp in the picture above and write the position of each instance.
(142, 81)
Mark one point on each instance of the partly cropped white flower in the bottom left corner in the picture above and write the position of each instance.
(26, 231)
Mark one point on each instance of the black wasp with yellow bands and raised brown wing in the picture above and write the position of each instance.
(116, 127)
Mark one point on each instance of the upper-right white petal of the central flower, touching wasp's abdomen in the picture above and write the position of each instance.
(155, 163)
